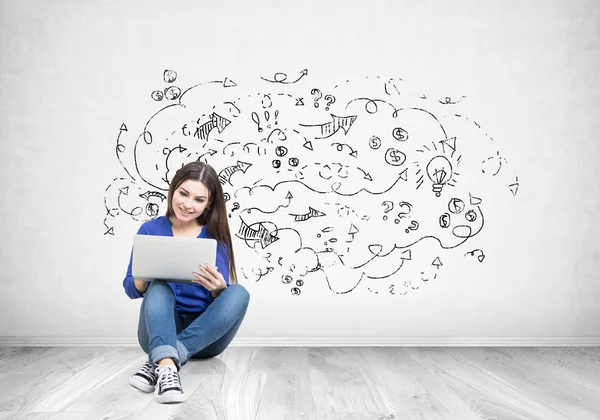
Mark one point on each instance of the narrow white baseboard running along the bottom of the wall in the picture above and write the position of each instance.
(321, 342)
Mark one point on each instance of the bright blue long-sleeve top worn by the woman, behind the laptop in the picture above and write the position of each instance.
(189, 298)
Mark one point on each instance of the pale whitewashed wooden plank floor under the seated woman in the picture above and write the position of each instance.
(359, 383)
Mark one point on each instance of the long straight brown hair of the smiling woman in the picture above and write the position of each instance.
(214, 215)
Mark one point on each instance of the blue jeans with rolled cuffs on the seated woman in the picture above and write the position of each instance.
(165, 333)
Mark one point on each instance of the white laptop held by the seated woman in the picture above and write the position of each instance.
(171, 258)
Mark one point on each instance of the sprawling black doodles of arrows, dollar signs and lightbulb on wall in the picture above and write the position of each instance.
(364, 185)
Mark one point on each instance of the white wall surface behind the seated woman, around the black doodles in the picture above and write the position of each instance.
(71, 73)
